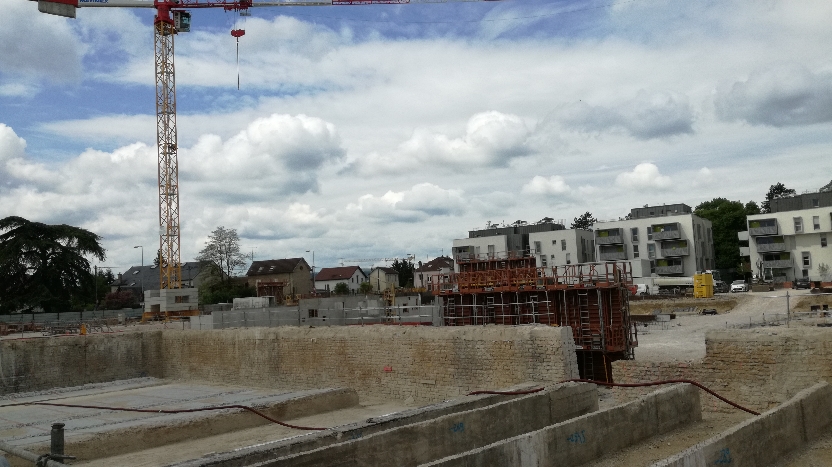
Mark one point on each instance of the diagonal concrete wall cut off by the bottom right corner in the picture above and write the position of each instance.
(764, 439)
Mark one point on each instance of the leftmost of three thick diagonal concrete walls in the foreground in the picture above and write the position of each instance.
(418, 443)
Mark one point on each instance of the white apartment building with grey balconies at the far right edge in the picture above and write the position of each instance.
(790, 244)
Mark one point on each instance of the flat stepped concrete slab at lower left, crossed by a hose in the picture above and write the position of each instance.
(92, 433)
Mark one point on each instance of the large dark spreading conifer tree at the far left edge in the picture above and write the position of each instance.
(45, 265)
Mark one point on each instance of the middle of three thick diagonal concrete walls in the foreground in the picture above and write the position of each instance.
(583, 439)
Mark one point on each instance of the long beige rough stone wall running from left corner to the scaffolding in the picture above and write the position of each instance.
(421, 363)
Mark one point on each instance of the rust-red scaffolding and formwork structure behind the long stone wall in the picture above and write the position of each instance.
(591, 298)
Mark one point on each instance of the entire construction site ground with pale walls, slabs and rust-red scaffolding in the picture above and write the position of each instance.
(516, 365)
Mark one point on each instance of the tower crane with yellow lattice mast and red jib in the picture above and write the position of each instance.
(171, 18)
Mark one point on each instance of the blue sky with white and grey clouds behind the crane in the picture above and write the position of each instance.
(386, 130)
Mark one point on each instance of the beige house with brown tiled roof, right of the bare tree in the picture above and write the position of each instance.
(293, 275)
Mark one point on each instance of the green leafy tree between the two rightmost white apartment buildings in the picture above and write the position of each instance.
(727, 218)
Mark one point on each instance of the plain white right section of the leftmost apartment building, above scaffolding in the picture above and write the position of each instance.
(559, 247)
